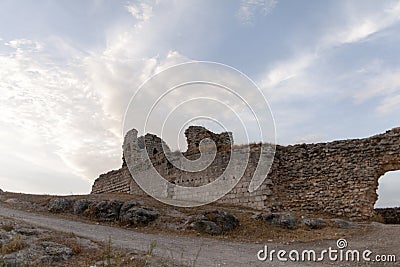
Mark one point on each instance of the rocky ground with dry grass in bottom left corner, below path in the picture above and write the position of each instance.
(22, 244)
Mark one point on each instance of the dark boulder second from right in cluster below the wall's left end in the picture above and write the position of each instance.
(105, 210)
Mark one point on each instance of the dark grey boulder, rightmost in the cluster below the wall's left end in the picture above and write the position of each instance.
(138, 215)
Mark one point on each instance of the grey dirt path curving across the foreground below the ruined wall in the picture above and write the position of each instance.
(384, 239)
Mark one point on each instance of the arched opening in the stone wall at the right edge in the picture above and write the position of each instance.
(388, 203)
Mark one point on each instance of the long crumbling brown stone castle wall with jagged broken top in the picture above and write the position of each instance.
(338, 178)
